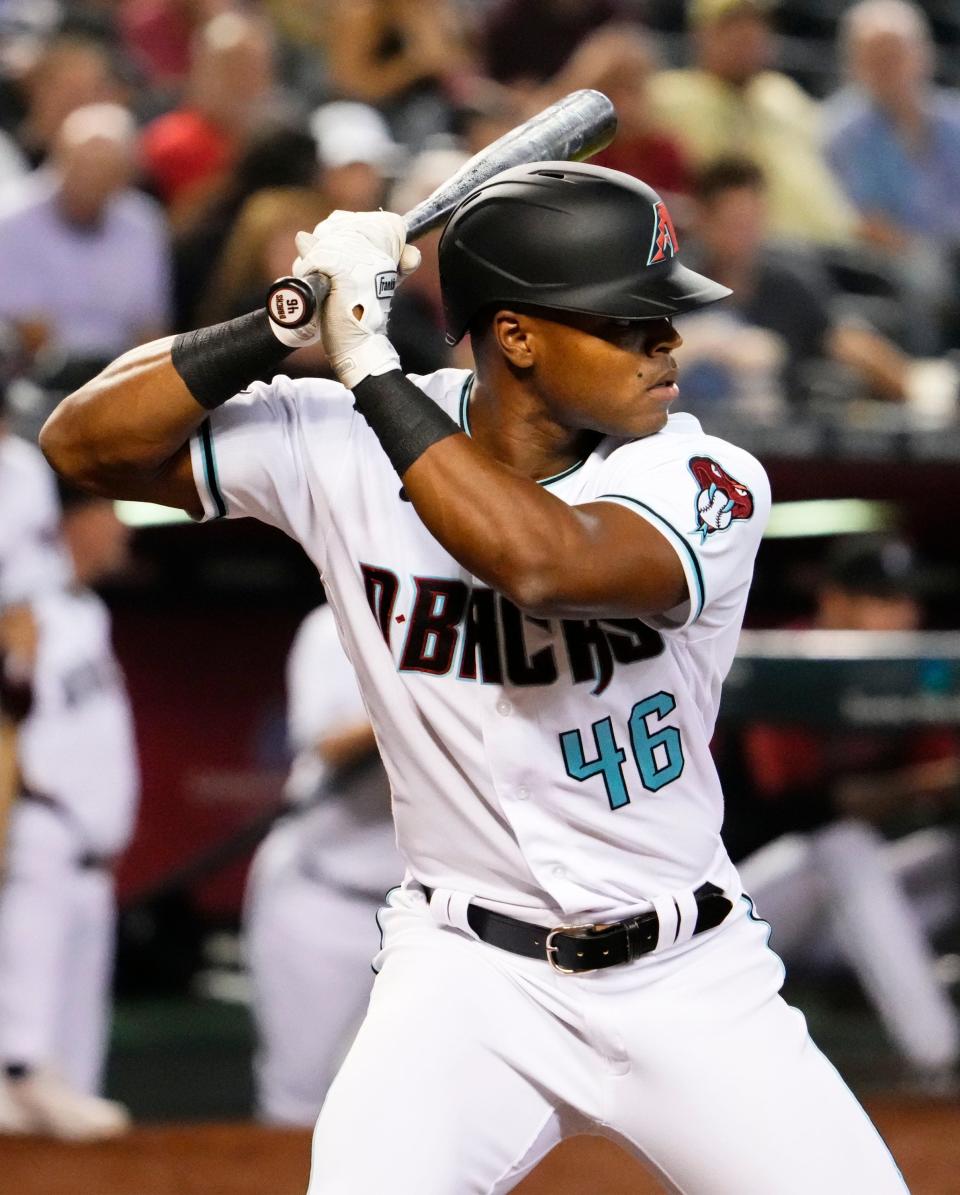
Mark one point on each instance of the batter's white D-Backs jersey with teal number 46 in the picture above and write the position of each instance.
(536, 765)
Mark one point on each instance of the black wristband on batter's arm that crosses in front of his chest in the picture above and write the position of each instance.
(407, 422)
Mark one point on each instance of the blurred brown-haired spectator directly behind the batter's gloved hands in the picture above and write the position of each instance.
(259, 250)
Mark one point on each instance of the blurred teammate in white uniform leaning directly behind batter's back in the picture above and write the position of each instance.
(316, 884)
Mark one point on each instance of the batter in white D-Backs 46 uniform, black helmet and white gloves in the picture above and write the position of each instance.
(540, 575)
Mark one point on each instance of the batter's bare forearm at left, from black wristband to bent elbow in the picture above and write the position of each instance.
(126, 424)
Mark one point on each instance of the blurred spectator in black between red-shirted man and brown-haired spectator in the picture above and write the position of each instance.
(277, 157)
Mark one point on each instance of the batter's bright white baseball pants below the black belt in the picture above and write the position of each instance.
(474, 1063)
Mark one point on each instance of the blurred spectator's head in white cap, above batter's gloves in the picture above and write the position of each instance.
(358, 156)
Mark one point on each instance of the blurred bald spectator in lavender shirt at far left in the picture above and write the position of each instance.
(85, 256)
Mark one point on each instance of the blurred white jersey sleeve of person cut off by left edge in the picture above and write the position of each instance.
(33, 557)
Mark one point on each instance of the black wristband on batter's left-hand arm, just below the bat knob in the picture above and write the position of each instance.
(217, 363)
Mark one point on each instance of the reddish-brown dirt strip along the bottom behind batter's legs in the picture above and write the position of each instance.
(247, 1160)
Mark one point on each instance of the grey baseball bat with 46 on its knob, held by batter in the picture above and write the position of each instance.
(571, 130)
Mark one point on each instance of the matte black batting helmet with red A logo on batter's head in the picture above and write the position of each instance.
(570, 237)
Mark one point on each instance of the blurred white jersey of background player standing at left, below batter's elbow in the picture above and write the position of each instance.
(77, 746)
